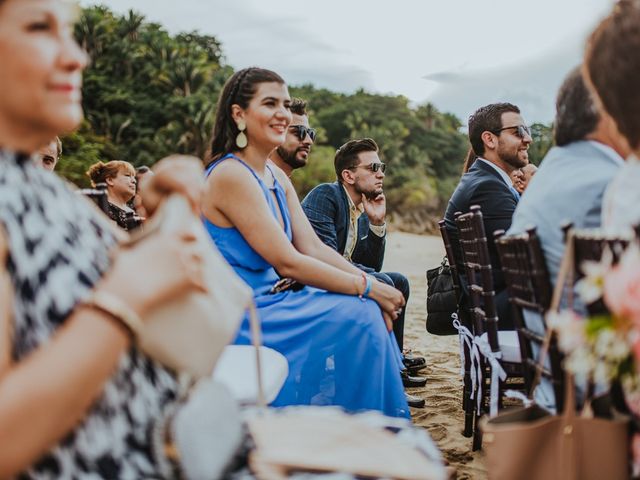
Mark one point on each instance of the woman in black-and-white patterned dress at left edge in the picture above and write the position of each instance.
(77, 400)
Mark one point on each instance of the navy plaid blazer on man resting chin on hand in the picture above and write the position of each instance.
(327, 208)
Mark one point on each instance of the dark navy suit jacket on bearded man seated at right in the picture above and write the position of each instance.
(482, 186)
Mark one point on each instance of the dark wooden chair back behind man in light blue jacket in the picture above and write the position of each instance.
(530, 292)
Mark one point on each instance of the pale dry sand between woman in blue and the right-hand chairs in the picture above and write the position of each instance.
(443, 417)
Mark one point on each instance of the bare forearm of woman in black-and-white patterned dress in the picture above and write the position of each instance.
(47, 394)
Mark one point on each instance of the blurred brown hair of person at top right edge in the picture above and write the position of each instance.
(613, 65)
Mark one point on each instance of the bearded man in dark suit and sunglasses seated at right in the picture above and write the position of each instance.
(500, 140)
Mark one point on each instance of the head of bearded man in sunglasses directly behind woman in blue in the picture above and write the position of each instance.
(294, 152)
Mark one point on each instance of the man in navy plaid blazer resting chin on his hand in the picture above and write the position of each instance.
(349, 216)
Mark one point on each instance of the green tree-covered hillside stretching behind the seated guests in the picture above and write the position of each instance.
(148, 94)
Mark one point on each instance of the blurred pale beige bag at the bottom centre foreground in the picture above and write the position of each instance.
(324, 439)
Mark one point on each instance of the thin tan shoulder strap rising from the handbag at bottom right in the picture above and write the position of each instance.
(565, 277)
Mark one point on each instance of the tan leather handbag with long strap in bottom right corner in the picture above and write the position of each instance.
(531, 444)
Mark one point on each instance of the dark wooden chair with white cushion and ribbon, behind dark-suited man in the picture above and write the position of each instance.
(498, 353)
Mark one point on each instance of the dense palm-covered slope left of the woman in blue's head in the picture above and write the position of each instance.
(147, 93)
